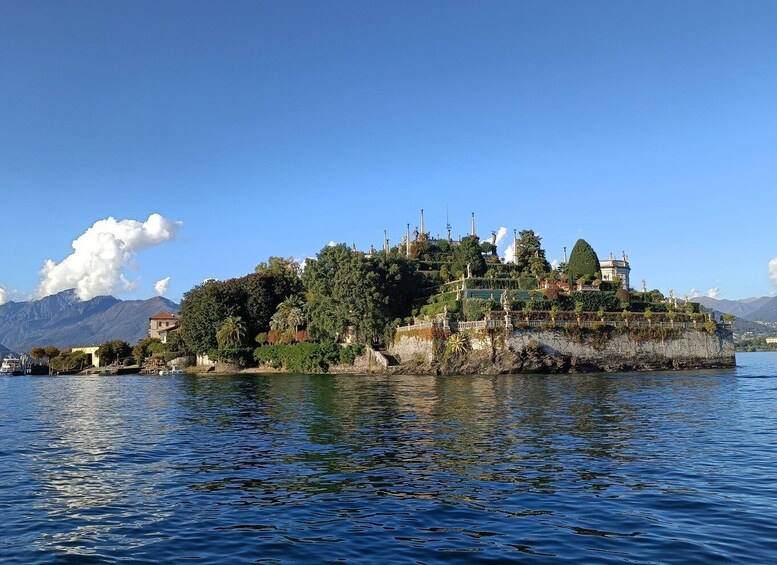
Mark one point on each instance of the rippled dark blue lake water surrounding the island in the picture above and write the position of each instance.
(652, 467)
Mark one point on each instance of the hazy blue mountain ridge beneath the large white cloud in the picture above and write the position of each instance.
(63, 320)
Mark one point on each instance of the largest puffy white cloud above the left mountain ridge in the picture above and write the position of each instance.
(101, 254)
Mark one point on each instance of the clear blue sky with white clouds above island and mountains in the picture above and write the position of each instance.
(146, 146)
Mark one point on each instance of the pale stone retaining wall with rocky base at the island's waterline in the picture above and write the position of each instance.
(555, 351)
